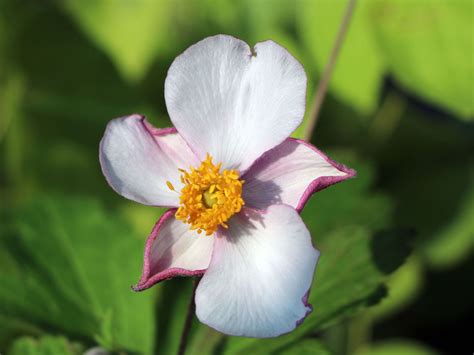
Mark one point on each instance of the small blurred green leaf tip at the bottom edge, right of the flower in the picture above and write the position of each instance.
(397, 347)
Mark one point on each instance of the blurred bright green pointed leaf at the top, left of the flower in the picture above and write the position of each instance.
(130, 32)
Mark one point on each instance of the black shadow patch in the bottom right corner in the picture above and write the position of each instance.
(441, 316)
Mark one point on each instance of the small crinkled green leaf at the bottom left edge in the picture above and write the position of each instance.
(46, 345)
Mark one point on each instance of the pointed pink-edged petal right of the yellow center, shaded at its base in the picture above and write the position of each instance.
(289, 174)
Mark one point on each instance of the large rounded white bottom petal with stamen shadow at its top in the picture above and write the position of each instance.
(260, 273)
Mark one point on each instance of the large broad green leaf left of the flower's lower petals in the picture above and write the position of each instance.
(74, 268)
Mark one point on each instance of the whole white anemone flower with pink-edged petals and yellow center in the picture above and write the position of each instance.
(235, 222)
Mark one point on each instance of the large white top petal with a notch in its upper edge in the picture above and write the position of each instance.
(234, 102)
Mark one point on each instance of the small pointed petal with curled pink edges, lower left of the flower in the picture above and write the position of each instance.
(171, 250)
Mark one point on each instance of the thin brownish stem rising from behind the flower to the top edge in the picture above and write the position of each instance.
(323, 84)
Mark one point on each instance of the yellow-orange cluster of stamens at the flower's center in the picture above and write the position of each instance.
(209, 197)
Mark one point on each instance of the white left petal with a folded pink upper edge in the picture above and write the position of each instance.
(138, 159)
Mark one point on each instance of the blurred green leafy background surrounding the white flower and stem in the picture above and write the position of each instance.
(397, 266)
